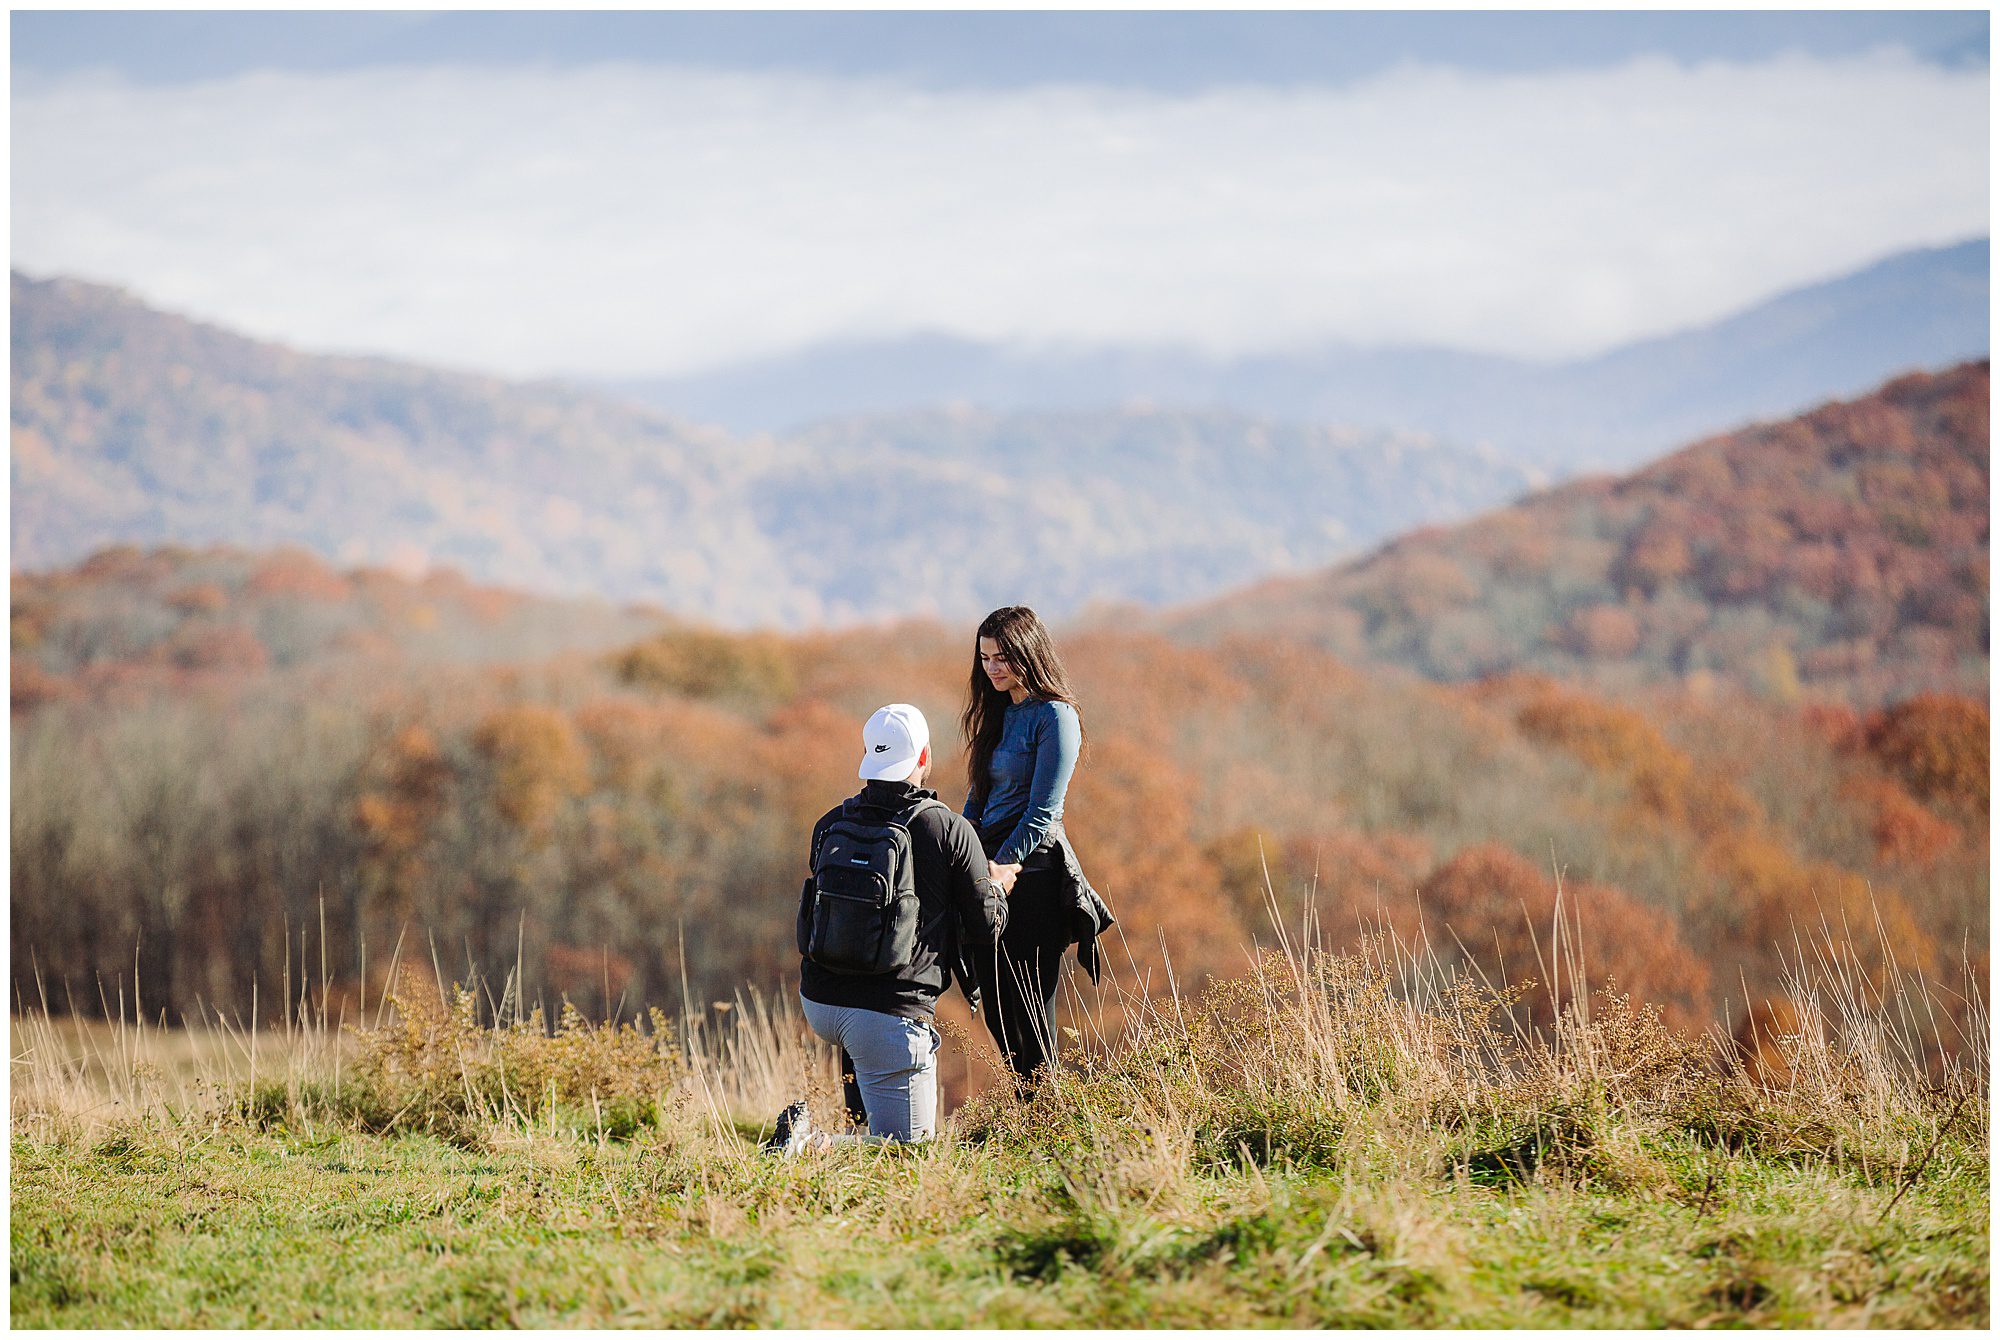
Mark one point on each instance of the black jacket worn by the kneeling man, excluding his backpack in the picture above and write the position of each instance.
(959, 907)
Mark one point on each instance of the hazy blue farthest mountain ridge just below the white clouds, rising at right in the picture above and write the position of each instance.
(1921, 309)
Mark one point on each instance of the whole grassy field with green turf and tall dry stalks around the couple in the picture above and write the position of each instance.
(1335, 1143)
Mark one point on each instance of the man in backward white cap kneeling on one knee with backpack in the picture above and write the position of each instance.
(897, 897)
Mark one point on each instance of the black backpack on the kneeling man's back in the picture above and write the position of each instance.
(859, 913)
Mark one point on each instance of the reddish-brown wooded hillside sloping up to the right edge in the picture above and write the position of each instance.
(1841, 553)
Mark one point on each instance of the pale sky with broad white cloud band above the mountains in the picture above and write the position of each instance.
(515, 199)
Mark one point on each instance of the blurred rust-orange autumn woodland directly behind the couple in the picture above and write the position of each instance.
(629, 823)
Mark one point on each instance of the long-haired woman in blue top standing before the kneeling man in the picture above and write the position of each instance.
(1023, 737)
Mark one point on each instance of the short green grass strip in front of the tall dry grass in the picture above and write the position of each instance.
(341, 1229)
